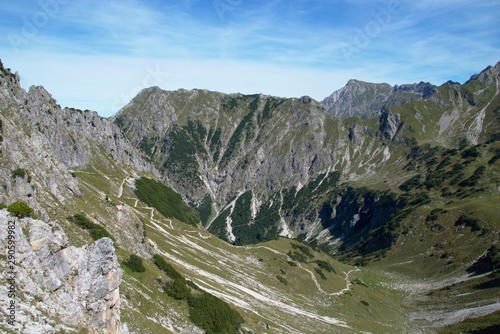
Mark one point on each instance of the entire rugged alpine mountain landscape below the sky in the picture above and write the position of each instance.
(375, 210)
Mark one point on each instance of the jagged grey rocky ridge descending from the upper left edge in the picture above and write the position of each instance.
(60, 139)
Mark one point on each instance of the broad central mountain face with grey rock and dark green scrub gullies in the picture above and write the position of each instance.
(207, 142)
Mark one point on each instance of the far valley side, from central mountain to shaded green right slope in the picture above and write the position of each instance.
(412, 192)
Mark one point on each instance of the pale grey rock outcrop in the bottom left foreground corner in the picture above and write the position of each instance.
(58, 285)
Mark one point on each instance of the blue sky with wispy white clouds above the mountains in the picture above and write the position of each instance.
(99, 54)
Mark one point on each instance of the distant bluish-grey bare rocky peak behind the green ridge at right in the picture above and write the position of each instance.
(365, 100)
